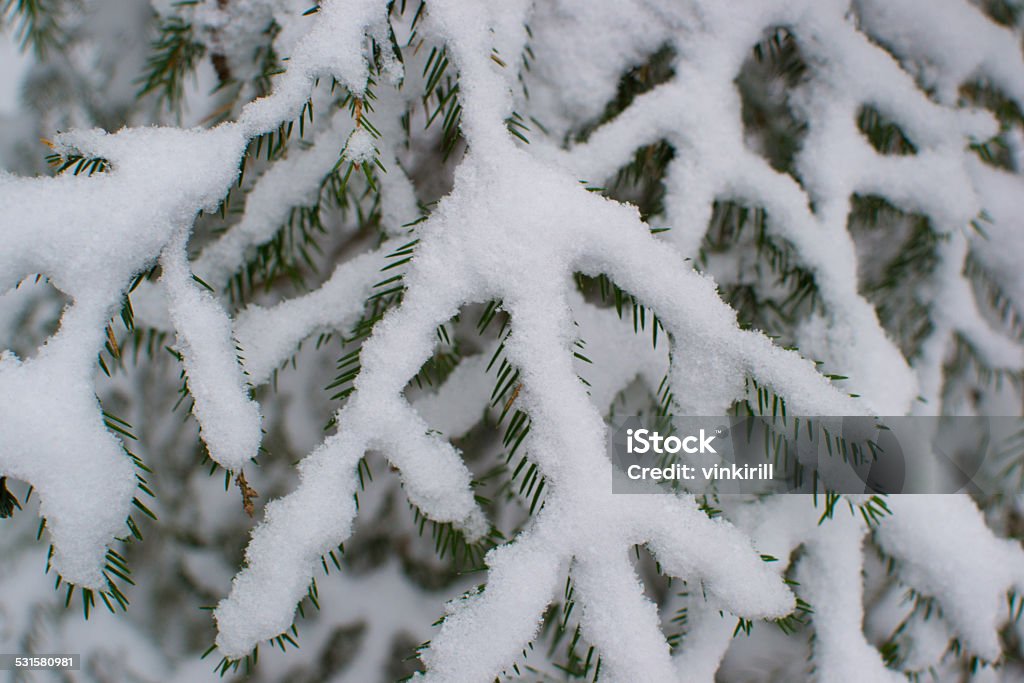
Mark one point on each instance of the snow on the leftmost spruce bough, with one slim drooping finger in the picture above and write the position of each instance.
(92, 236)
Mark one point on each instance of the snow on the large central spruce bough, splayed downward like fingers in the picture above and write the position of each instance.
(477, 245)
